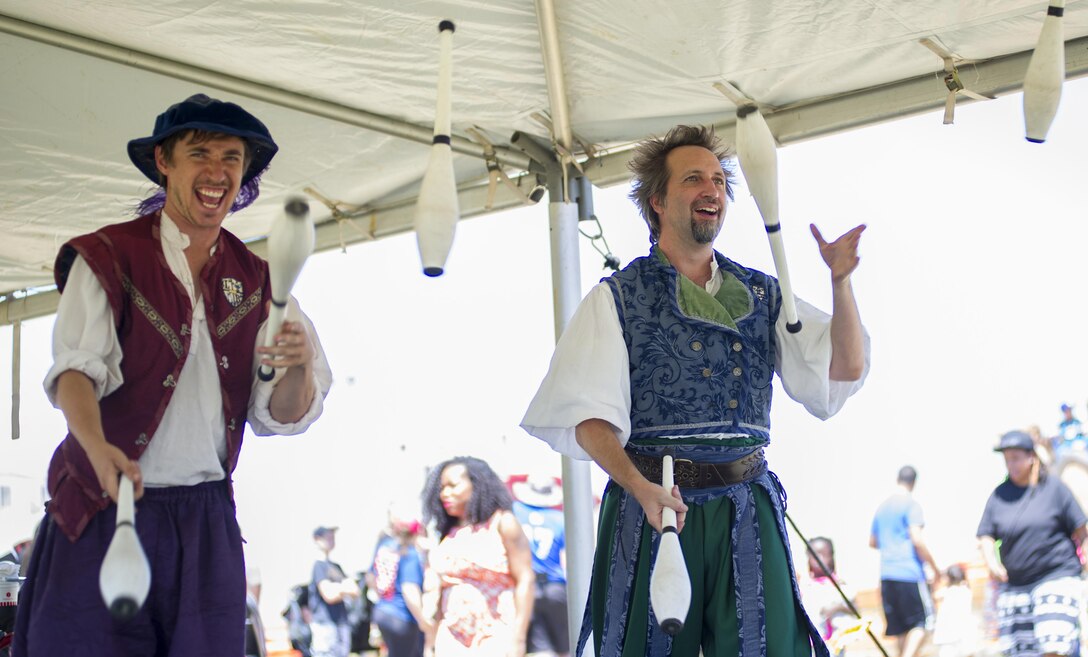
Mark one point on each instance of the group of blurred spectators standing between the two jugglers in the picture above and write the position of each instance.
(478, 569)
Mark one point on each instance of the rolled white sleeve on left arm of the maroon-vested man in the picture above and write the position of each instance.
(85, 339)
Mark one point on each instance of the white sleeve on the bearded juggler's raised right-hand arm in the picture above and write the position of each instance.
(803, 363)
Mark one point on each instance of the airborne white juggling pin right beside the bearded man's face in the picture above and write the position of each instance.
(759, 159)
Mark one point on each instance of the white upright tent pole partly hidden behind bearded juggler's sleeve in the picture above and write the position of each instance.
(577, 492)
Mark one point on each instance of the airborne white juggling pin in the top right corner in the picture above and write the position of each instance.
(1043, 83)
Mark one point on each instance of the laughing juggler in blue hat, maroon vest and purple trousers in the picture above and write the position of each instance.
(156, 350)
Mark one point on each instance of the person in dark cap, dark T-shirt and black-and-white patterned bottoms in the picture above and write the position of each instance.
(1040, 526)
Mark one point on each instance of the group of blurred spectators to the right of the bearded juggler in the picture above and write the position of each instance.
(1032, 546)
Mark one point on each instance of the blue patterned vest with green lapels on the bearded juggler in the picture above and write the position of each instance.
(701, 365)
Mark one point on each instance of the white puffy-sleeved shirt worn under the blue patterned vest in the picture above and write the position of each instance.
(589, 377)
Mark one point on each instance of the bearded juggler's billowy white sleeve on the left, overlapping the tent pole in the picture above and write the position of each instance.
(588, 379)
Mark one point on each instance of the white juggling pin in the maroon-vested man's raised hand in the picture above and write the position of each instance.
(291, 243)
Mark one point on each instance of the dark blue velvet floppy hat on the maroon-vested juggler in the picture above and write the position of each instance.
(204, 114)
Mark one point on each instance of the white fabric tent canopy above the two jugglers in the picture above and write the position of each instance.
(348, 90)
